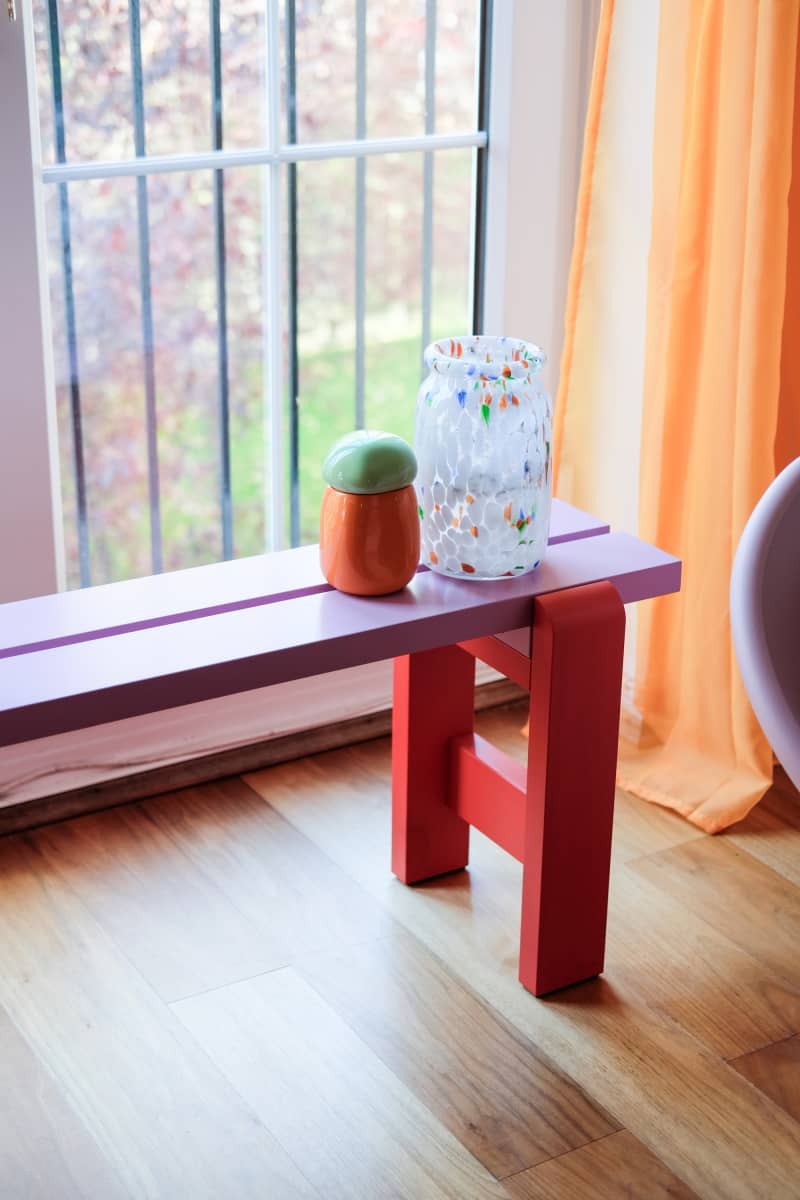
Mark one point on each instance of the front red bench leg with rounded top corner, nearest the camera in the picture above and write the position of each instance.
(575, 699)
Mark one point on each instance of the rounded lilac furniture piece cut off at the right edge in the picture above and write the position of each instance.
(766, 615)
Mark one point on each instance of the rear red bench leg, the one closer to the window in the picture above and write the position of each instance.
(435, 701)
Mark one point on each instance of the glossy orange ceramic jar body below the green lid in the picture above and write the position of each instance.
(370, 545)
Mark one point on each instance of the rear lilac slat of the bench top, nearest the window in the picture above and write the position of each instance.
(181, 596)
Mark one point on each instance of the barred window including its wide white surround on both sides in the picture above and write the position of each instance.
(147, 338)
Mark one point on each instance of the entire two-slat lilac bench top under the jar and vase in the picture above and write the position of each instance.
(224, 644)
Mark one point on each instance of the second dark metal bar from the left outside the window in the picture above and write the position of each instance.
(146, 290)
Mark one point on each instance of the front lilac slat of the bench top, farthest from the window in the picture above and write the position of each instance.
(75, 686)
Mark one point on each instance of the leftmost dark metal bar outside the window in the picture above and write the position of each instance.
(76, 417)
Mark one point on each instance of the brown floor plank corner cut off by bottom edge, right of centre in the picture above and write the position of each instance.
(618, 1167)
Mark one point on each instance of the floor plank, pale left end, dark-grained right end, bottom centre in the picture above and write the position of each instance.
(486, 1084)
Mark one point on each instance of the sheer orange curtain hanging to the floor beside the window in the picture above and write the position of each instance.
(720, 406)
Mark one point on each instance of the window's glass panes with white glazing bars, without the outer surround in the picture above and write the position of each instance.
(256, 218)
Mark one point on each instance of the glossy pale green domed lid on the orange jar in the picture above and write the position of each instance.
(366, 463)
